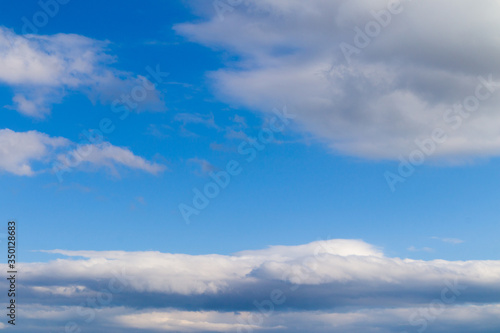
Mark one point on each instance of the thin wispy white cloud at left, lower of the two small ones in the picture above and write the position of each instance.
(21, 152)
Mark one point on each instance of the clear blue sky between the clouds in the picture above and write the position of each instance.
(301, 183)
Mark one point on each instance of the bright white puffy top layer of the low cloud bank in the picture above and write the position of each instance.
(316, 264)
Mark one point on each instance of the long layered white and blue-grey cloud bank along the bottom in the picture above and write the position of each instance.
(334, 285)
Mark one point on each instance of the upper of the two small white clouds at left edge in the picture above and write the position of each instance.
(43, 69)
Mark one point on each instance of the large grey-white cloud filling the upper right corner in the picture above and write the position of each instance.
(418, 71)
